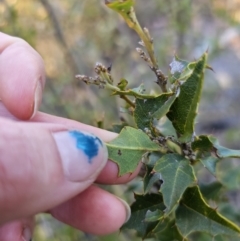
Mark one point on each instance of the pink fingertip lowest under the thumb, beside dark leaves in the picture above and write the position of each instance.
(94, 211)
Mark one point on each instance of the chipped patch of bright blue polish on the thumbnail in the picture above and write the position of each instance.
(86, 143)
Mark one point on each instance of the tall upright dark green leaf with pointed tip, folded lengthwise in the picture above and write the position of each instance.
(184, 109)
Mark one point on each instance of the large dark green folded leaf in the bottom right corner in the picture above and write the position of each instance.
(194, 214)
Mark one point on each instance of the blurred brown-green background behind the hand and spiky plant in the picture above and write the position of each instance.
(73, 35)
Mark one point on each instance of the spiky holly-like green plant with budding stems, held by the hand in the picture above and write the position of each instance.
(175, 208)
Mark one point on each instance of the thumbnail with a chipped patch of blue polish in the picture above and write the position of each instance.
(82, 154)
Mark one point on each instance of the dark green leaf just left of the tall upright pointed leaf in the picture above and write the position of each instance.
(146, 110)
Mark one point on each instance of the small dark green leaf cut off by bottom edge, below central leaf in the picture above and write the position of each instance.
(166, 230)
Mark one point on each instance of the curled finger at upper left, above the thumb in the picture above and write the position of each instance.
(22, 77)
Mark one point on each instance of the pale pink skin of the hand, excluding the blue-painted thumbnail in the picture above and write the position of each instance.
(40, 186)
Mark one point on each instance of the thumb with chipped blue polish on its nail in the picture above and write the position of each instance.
(43, 165)
